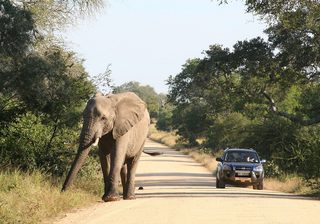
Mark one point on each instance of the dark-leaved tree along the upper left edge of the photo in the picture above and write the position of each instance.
(16, 37)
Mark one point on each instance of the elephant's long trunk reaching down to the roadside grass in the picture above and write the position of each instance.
(83, 151)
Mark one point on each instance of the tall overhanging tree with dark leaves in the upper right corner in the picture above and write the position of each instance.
(294, 31)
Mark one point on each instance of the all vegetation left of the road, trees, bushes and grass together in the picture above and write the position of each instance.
(43, 88)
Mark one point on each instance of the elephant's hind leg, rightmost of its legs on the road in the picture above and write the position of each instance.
(132, 168)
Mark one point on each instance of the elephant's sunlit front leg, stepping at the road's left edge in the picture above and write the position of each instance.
(117, 161)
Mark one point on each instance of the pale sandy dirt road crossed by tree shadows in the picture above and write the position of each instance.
(179, 190)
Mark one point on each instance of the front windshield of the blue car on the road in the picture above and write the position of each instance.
(242, 157)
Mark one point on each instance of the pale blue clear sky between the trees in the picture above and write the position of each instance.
(147, 41)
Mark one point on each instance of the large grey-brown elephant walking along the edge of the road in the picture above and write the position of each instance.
(119, 125)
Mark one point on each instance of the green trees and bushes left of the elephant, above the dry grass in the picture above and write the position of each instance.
(42, 95)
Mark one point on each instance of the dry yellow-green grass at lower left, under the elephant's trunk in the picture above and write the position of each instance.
(34, 197)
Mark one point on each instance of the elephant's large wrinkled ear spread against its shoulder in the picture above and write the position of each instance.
(129, 111)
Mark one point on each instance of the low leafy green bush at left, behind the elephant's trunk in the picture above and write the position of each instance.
(28, 144)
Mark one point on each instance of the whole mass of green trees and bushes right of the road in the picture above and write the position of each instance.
(260, 94)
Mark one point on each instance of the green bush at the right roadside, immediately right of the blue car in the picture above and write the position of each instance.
(289, 148)
